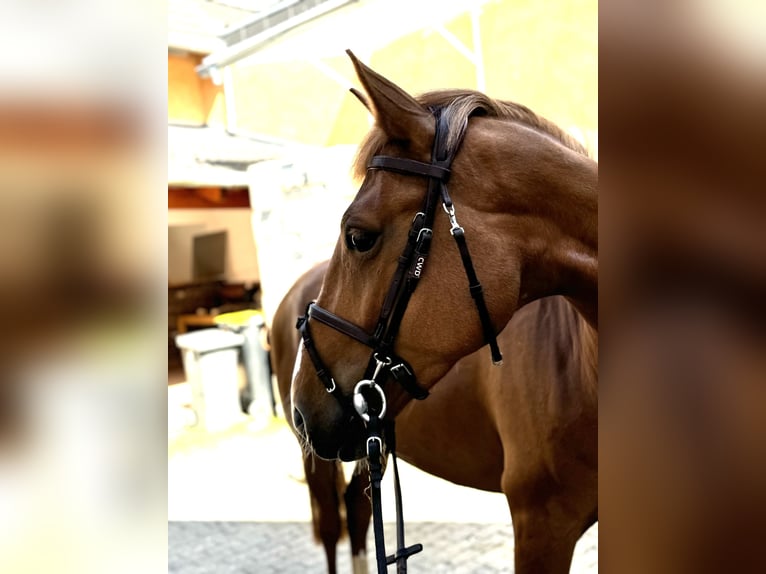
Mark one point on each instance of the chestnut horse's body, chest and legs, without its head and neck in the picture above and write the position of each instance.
(493, 429)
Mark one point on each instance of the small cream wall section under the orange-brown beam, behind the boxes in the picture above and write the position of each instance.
(241, 257)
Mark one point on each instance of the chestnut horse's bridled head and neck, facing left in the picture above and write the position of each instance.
(520, 191)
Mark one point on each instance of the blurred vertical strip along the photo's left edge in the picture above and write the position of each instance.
(82, 277)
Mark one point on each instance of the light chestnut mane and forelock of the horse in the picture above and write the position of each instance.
(458, 106)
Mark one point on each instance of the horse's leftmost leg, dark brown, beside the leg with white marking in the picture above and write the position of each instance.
(325, 479)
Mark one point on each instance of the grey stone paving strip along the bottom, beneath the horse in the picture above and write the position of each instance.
(288, 548)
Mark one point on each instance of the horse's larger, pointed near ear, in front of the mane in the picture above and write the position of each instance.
(396, 112)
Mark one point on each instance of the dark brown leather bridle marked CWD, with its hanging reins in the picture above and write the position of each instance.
(369, 399)
